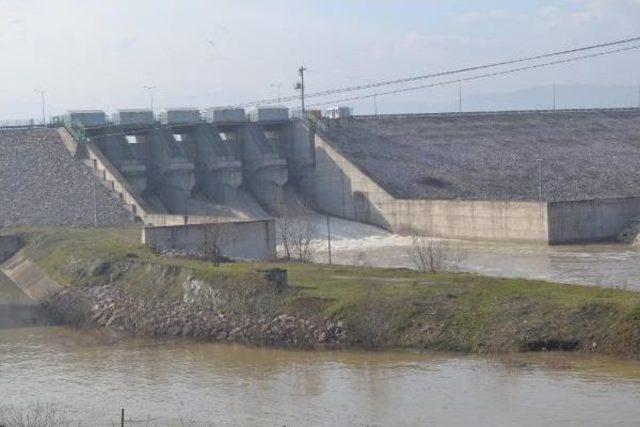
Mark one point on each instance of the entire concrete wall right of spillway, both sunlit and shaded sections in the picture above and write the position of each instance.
(342, 189)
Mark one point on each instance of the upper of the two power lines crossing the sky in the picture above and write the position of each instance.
(440, 74)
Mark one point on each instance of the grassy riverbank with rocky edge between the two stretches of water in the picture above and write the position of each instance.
(111, 280)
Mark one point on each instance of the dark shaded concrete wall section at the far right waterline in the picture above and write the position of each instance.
(590, 220)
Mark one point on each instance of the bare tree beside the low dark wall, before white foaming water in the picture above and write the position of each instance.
(296, 235)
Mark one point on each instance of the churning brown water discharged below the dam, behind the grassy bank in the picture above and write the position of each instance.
(607, 265)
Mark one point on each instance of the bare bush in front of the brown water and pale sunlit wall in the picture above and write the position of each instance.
(432, 255)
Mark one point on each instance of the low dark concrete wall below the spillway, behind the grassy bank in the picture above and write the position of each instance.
(254, 240)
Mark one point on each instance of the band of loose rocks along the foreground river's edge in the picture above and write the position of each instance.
(108, 306)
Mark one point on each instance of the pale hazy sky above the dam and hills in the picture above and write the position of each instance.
(100, 54)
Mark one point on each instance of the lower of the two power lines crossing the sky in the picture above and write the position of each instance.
(480, 76)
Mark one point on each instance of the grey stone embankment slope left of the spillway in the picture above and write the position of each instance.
(41, 184)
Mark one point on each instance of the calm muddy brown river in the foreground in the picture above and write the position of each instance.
(89, 376)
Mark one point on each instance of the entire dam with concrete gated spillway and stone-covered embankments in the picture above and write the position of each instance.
(549, 177)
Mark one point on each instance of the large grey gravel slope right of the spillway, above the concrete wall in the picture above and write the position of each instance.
(586, 154)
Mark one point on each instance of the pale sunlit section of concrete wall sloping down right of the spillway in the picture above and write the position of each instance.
(341, 189)
